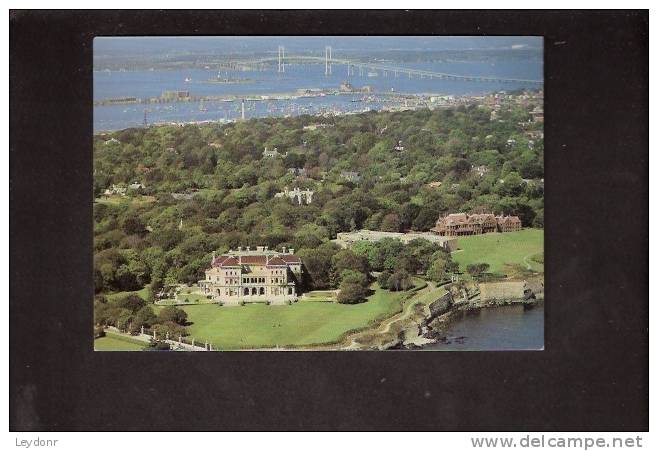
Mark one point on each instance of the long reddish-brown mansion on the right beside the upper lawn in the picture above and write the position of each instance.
(460, 224)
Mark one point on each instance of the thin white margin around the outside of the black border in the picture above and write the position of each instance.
(265, 441)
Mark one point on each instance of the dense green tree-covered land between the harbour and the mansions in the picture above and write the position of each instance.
(150, 237)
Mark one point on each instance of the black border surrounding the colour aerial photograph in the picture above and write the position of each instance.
(593, 375)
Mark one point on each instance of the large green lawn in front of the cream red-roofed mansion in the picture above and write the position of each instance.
(303, 323)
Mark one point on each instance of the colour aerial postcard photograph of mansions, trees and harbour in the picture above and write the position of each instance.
(318, 193)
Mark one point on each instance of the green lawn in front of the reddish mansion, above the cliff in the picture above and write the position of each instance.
(498, 249)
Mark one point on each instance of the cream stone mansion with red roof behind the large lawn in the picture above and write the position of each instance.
(253, 275)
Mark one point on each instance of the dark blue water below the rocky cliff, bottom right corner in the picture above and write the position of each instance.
(508, 328)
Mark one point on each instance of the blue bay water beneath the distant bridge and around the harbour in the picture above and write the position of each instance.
(144, 84)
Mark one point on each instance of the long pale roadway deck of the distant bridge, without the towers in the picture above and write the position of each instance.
(387, 69)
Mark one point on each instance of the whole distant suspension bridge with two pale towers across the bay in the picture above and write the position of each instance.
(352, 67)
